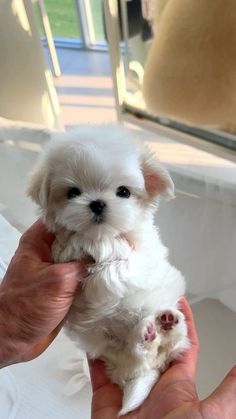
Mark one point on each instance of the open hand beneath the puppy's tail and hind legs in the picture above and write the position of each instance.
(174, 396)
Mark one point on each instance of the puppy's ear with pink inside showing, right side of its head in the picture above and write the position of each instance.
(157, 180)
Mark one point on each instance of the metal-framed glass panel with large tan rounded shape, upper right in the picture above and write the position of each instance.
(136, 23)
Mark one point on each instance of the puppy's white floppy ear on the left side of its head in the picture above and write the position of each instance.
(38, 186)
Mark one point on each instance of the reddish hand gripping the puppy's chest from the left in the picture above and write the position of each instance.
(35, 296)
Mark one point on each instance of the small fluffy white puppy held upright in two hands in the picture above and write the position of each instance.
(98, 189)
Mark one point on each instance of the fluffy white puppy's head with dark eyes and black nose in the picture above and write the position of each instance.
(98, 181)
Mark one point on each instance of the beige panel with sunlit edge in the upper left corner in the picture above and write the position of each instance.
(26, 87)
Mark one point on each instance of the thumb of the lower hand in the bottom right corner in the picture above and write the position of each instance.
(224, 396)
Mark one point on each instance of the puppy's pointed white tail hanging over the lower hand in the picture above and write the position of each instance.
(136, 391)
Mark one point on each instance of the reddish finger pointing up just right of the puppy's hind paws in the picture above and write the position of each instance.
(190, 356)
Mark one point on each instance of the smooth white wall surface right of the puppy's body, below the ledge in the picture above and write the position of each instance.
(199, 228)
